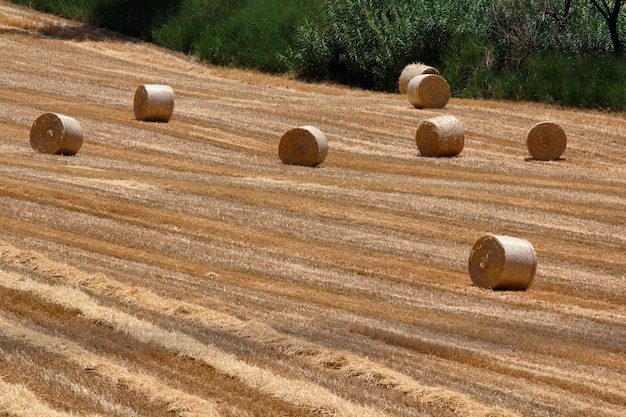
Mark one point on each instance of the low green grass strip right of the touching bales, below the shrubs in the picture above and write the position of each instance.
(577, 80)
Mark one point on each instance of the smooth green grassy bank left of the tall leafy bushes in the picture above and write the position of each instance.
(250, 34)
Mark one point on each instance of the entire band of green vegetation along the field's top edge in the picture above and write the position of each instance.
(507, 49)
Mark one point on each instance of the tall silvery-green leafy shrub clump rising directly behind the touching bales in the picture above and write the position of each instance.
(368, 42)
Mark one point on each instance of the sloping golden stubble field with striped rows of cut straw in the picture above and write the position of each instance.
(181, 269)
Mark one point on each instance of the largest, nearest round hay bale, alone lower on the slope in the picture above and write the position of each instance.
(502, 263)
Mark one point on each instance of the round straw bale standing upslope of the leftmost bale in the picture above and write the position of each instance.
(154, 103)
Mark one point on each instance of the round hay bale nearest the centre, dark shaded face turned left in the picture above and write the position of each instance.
(304, 145)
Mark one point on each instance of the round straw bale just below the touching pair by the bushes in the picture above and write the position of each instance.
(440, 136)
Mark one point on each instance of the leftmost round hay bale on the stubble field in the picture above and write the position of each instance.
(56, 134)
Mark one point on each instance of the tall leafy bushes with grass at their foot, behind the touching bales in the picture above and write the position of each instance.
(512, 49)
